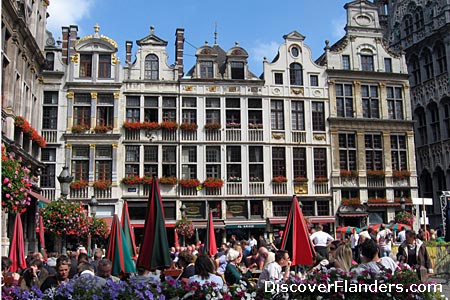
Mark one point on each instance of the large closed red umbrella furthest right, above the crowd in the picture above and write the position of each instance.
(296, 237)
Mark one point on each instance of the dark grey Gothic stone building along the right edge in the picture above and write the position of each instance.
(422, 30)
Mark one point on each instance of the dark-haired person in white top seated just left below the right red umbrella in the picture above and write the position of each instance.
(273, 271)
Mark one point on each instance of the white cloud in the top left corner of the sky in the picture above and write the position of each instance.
(65, 13)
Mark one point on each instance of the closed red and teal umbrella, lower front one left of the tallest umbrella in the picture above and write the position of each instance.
(118, 251)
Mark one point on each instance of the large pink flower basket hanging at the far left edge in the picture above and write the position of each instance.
(16, 183)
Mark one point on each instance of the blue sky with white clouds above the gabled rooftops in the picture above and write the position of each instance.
(258, 26)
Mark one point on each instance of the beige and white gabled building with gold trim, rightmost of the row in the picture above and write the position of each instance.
(370, 121)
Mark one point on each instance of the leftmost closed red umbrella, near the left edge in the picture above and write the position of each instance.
(17, 247)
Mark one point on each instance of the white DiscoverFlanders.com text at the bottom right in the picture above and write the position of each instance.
(348, 287)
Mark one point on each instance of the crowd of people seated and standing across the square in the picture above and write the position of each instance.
(252, 261)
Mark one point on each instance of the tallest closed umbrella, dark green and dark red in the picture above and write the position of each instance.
(154, 251)
